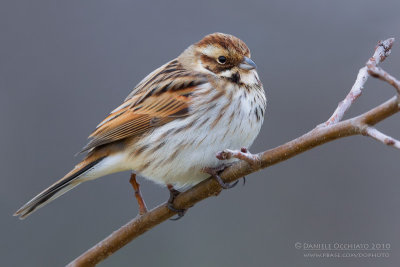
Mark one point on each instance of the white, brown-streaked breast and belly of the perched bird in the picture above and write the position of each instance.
(177, 151)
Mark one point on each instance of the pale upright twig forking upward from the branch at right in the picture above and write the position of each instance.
(382, 51)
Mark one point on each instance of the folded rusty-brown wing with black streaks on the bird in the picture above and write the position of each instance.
(161, 97)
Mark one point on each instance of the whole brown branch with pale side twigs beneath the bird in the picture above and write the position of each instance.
(333, 129)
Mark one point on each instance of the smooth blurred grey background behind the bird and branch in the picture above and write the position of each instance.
(65, 64)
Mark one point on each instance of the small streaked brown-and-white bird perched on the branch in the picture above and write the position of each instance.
(174, 122)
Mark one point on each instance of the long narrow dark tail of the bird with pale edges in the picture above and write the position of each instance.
(57, 189)
